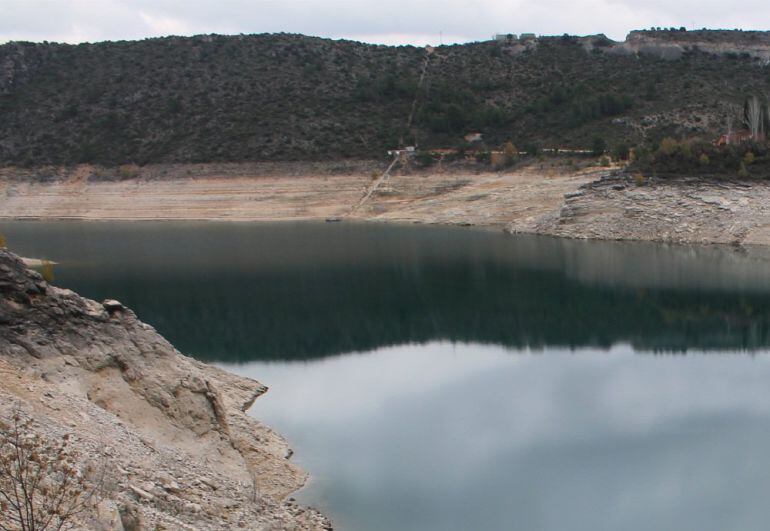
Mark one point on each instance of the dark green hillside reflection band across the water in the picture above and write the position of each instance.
(326, 311)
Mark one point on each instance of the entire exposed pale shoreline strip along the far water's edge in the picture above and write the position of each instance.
(551, 197)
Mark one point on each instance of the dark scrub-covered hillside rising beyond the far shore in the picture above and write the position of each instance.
(290, 97)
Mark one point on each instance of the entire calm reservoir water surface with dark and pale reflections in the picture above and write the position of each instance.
(450, 379)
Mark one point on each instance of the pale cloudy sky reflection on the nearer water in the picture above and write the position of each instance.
(460, 436)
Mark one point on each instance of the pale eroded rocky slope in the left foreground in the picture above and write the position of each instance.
(179, 450)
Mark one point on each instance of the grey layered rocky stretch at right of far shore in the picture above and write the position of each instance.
(683, 210)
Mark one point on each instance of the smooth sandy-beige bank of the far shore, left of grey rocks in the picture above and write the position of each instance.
(254, 193)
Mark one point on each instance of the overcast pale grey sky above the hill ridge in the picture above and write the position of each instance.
(379, 21)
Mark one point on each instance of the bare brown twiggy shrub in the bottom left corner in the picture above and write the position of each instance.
(41, 486)
